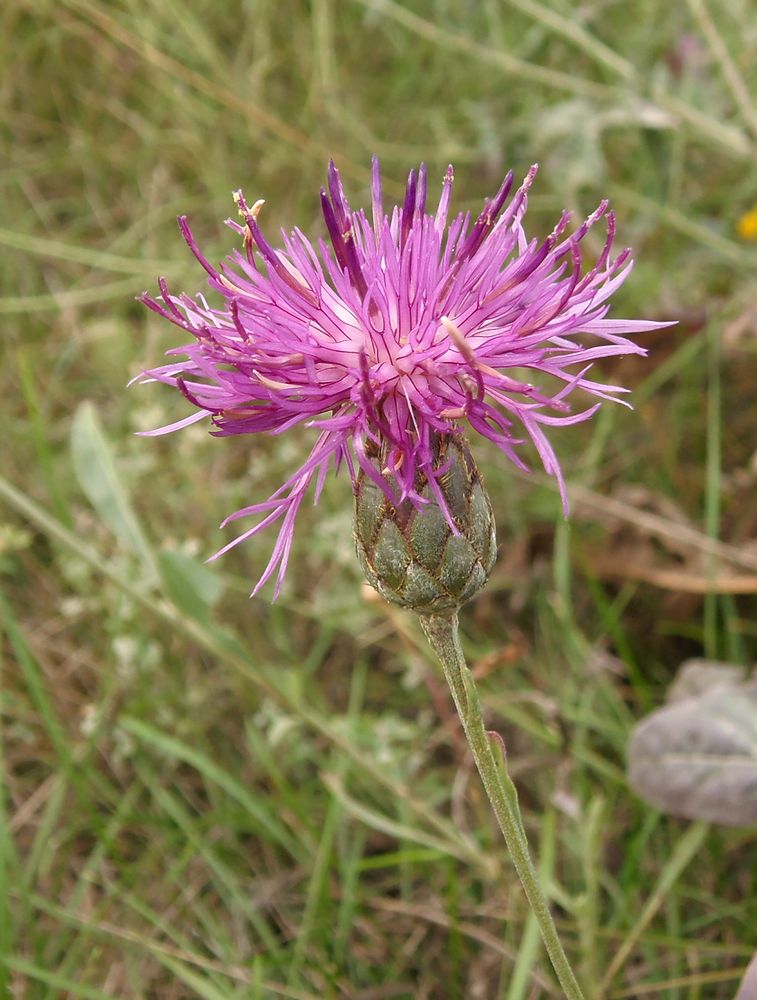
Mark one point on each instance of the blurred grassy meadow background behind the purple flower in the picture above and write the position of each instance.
(207, 796)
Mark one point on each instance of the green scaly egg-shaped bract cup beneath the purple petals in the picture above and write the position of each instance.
(411, 556)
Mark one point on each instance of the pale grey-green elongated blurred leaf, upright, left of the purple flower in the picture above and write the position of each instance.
(96, 471)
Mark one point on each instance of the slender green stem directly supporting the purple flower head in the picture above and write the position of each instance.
(441, 632)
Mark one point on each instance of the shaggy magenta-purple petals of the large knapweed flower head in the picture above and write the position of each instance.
(400, 327)
